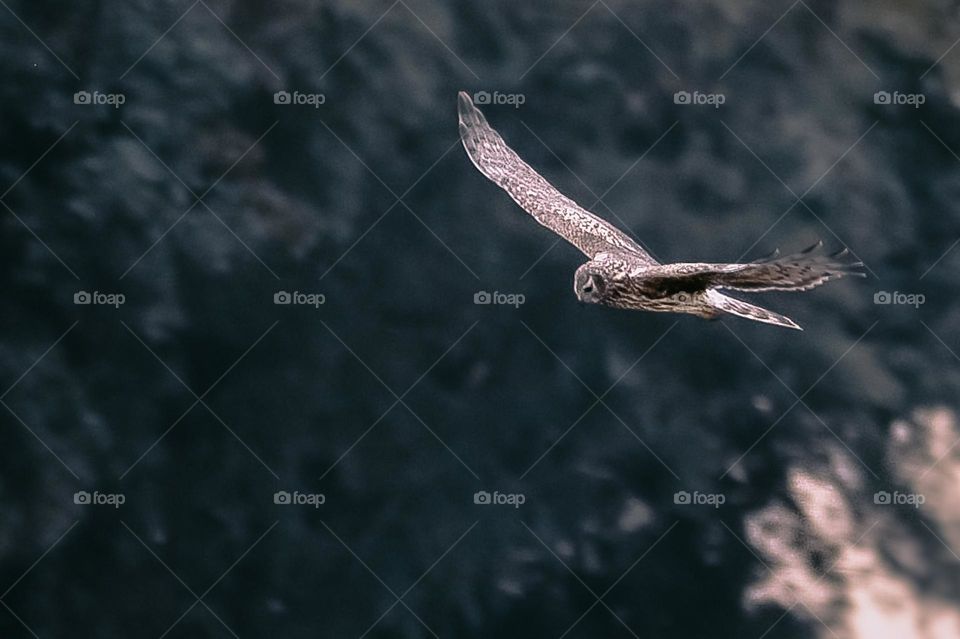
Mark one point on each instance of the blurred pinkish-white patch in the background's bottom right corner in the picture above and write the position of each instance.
(856, 568)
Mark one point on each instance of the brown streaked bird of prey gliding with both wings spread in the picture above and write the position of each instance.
(620, 272)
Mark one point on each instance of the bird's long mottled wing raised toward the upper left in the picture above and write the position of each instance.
(491, 155)
